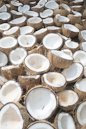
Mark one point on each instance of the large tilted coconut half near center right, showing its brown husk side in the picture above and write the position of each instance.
(60, 59)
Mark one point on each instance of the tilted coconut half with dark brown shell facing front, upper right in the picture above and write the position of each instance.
(70, 30)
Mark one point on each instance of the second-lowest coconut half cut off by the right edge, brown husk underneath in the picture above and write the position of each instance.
(80, 88)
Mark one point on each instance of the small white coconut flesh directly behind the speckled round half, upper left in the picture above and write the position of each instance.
(26, 30)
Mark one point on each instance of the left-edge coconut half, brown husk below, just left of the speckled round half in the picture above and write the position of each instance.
(7, 44)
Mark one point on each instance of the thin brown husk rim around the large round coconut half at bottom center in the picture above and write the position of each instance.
(40, 86)
